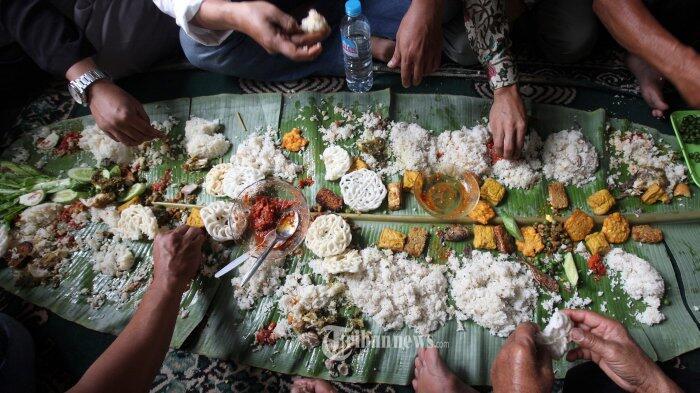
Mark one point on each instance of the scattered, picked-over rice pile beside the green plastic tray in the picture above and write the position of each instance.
(646, 161)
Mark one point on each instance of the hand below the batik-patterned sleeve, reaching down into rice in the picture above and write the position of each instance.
(507, 122)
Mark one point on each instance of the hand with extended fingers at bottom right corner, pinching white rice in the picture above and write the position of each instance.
(607, 343)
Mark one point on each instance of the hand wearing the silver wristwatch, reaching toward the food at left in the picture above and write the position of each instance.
(120, 115)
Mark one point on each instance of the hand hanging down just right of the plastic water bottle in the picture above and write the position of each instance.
(418, 50)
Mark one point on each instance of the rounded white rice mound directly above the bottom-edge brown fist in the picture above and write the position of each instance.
(493, 291)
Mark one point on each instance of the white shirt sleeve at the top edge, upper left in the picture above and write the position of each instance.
(183, 11)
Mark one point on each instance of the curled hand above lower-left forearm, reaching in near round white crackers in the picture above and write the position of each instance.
(177, 255)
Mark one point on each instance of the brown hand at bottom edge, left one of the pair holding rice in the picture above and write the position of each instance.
(520, 366)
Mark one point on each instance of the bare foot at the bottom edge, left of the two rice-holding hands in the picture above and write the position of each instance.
(431, 374)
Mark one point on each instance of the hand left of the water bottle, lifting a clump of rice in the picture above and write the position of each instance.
(276, 31)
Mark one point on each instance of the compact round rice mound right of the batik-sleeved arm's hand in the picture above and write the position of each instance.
(569, 158)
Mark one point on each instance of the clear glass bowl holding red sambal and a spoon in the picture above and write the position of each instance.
(280, 190)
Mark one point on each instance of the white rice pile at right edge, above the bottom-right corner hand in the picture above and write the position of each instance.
(640, 281)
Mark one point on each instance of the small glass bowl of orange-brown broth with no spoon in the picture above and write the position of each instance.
(447, 197)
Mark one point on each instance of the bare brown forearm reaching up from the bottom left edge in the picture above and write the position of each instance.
(137, 354)
